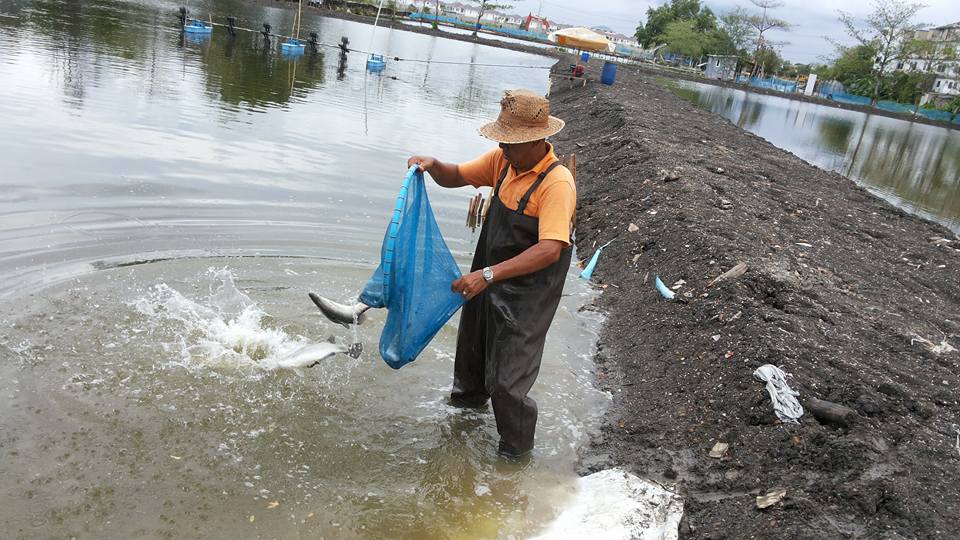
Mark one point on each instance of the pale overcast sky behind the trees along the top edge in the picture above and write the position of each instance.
(813, 19)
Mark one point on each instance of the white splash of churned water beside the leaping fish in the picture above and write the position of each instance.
(224, 330)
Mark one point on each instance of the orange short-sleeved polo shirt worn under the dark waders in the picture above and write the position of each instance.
(554, 203)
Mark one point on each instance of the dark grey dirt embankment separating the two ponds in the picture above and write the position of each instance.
(857, 301)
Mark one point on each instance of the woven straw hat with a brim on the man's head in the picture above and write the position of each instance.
(524, 117)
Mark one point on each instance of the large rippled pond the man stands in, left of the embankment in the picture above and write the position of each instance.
(166, 205)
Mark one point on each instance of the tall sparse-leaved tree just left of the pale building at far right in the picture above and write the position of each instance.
(887, 31)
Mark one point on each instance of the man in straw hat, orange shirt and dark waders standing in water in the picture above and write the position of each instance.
(519, 267)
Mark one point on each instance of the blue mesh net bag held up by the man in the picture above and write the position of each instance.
(414, 276)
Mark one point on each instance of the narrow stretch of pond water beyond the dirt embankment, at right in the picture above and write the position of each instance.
(914, 166)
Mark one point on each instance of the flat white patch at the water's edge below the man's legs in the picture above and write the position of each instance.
(613, 505)
